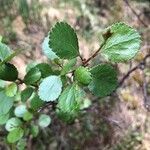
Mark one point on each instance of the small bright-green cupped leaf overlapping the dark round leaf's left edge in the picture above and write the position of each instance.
(82, 75)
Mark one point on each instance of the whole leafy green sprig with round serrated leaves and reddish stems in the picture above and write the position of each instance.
(60, 84)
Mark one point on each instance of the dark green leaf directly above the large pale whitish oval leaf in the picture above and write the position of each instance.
(45, 70)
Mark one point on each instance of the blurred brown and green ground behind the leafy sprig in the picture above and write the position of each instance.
(119, 122)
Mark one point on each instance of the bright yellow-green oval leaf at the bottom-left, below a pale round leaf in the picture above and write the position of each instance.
(15, 135)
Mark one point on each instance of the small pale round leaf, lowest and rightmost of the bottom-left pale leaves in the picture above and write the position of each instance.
(44, 120)
